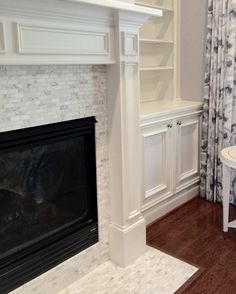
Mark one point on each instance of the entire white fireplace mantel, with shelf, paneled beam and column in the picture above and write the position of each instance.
(93, 32)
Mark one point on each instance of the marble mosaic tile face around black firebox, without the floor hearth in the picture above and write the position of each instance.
(36, 95)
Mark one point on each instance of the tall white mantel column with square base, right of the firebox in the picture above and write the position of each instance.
(127, 225)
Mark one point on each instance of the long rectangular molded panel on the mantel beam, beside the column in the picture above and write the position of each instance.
(50, 31)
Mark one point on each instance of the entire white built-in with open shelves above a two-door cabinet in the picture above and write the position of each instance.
(170, 126)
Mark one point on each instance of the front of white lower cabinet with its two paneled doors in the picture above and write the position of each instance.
(170, 155)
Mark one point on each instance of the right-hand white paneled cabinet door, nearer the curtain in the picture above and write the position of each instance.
(187, 143)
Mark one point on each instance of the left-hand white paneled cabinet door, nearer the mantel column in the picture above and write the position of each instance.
(157, 164)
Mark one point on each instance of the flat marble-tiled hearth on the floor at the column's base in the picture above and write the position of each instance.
(154, 273)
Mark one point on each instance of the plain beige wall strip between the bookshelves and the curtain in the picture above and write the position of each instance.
(192, 32)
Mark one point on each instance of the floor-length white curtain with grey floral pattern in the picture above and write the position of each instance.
(219, 110)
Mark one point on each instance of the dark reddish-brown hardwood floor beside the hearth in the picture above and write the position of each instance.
(194, 233)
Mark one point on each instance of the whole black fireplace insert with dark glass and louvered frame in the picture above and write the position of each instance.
(48, 198)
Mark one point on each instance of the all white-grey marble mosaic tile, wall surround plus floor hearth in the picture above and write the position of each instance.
(36, 95)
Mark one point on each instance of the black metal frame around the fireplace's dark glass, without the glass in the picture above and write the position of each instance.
(29, 263)
